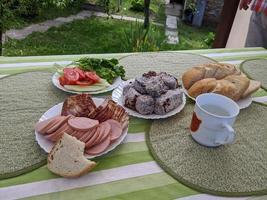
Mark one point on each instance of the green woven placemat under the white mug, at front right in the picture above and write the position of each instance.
(232, 170)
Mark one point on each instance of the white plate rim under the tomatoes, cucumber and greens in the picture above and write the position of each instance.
(114, 85)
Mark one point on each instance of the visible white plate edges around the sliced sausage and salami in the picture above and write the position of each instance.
(56, 110)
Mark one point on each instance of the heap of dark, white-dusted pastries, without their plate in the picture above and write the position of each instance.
(153, 93)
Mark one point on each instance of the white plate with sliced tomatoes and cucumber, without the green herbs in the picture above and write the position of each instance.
(74, 80)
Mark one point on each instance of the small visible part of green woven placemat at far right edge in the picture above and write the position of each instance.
(256, 69)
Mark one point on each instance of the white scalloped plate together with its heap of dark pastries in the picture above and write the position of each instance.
(151, 96)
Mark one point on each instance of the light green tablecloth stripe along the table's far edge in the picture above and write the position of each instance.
(117, 55)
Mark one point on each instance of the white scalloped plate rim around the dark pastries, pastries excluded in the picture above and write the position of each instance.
(118, 98)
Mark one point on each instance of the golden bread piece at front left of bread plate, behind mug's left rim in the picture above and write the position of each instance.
(202, 86)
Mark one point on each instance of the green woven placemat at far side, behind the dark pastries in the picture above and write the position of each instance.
(173, 63)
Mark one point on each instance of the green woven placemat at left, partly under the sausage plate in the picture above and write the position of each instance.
(23, 99)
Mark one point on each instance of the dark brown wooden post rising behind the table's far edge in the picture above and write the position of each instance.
(226, 21)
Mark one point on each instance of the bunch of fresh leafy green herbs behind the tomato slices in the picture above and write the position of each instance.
(106, 69)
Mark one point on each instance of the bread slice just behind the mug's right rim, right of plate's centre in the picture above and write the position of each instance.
(241, 84)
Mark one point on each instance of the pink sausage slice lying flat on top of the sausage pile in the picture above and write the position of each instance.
(82, 123)
